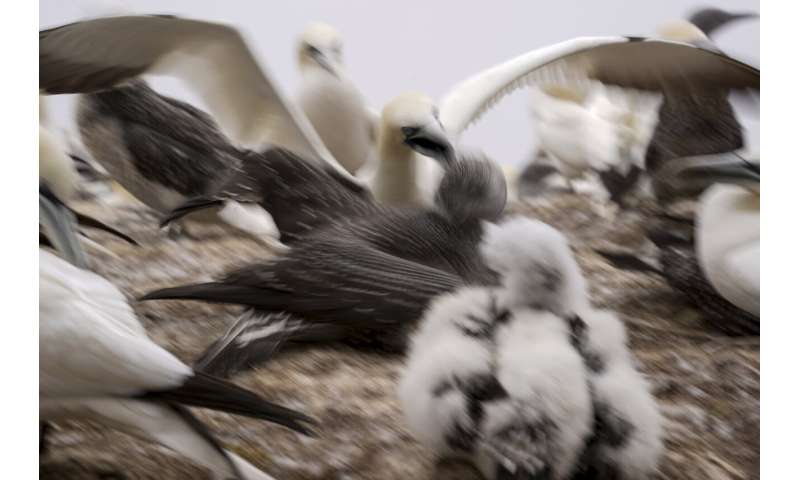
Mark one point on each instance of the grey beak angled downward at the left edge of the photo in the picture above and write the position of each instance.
(58, 224)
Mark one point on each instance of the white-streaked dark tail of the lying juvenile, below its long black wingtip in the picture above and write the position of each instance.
(257, 337)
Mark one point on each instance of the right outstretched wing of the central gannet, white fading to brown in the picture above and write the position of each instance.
(644, 64)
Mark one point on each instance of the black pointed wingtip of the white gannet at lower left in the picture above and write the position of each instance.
(206, 391)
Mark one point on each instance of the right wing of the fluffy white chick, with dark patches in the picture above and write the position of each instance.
(627, 438)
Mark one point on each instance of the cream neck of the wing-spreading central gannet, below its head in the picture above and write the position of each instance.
(395, 180)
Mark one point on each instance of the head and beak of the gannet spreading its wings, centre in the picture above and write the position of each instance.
(412, 120)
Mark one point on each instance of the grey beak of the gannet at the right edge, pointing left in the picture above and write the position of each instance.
(726, 168)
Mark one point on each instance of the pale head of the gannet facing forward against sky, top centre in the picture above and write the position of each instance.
(320, 47)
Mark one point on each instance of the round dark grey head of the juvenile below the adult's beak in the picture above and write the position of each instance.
(472, 187)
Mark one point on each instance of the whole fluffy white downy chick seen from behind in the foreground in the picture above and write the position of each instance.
(508, 377)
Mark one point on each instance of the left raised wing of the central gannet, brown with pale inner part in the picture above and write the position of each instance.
(211, 58)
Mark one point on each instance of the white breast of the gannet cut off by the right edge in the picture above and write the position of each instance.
(729, 244)
